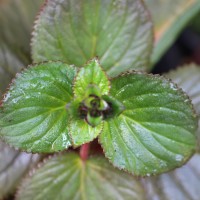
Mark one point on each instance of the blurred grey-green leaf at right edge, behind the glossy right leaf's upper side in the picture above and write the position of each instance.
(188, 78)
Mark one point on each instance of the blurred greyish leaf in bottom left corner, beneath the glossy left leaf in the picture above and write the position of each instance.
(13, 166)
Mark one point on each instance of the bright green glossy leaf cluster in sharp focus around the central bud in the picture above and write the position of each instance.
(145, 124)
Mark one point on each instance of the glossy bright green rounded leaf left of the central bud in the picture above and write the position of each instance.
(33, 114)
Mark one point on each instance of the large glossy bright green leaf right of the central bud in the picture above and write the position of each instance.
(156, 131)
